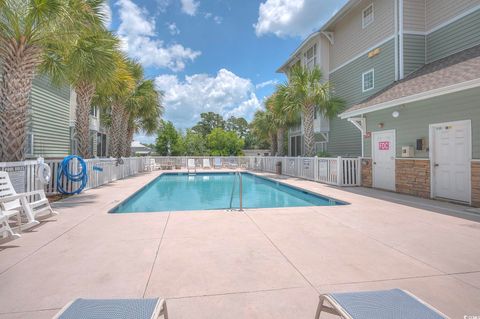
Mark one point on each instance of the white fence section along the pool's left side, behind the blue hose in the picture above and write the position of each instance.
(99, 171)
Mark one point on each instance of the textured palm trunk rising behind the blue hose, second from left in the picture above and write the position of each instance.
(85, 93)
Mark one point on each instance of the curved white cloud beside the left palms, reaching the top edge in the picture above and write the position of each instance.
(138, 38)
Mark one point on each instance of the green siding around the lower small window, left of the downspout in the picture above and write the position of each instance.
(347, 81)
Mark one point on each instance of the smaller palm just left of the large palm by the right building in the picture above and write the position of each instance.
(283, 117)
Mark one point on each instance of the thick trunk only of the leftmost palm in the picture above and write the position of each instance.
(18, 69)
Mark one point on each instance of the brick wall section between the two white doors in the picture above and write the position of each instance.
(413, 177)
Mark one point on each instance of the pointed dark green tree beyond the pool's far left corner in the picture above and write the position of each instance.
(169, 140)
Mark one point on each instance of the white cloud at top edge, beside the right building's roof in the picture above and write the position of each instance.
(293, 17)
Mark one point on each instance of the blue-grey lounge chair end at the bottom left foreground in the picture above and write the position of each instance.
(114, 309)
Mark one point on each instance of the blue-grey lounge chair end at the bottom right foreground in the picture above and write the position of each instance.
(392, 304)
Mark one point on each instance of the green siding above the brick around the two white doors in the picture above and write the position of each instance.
(415, 118)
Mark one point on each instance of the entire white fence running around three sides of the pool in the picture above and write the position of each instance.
(335, 171)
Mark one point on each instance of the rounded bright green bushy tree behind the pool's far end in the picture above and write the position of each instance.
(223, 143)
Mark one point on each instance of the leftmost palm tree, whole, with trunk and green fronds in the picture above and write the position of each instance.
(28, 28)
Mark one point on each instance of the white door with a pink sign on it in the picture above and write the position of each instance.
(383, 156)
